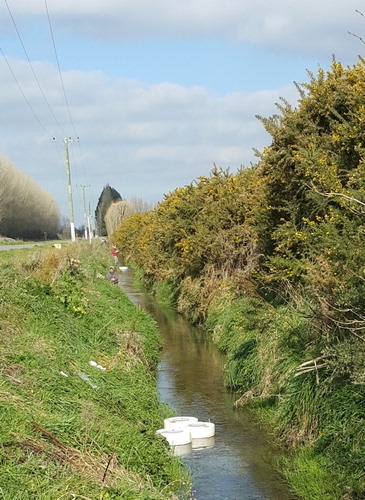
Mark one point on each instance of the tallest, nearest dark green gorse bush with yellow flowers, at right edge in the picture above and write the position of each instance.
(314, 170)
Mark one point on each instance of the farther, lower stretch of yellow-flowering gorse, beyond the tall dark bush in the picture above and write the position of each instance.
(202, 234)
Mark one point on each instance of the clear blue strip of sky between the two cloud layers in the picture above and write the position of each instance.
(223, 66)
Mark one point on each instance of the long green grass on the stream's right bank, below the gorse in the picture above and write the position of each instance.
(316, 415)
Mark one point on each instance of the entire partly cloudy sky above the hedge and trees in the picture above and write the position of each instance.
(152, 95)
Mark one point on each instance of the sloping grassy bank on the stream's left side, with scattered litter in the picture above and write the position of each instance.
(69, 429)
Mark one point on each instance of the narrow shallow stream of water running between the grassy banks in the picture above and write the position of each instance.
(236, 464)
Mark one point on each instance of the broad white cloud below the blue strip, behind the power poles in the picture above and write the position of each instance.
(143, 140)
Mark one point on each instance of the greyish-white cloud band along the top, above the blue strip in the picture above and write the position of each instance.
(309, 26)
